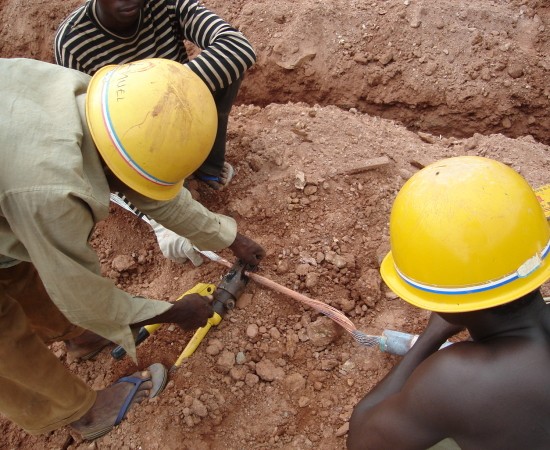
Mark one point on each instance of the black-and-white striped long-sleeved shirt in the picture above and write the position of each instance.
(82, 43)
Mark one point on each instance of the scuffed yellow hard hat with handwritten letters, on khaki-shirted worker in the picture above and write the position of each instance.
(153, 121)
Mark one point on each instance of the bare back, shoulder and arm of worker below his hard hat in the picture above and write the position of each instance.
(490, 393)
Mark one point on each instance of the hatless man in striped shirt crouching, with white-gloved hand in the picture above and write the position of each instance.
(103, 32)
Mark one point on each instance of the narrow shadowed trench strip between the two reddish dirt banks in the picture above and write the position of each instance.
(462, 120)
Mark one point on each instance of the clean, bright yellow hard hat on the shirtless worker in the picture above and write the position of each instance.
(466, 233)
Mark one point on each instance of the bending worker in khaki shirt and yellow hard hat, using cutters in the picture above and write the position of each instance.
(67, 141)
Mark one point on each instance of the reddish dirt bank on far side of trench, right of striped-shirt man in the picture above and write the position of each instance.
(446, 68)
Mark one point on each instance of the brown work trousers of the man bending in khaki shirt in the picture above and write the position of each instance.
(37, 391)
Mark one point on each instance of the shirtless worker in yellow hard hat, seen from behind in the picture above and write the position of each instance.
(469, 241)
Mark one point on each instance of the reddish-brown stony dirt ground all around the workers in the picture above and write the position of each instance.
(274, 373)
